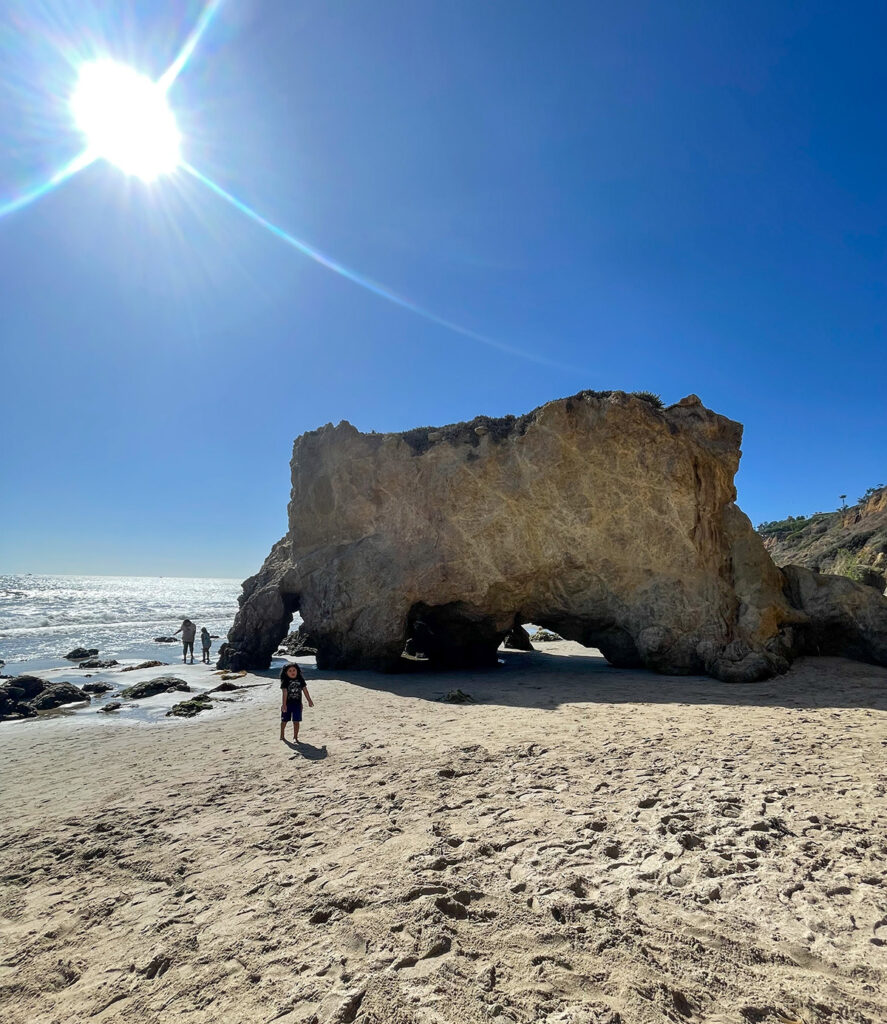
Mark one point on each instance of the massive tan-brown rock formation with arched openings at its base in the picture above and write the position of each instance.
(601, 517)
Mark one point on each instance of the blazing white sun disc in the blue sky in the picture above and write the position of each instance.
(126, 120)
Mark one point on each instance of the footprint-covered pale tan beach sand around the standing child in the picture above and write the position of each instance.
(582, 846)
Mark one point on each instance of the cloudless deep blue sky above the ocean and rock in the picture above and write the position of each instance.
(680, 197)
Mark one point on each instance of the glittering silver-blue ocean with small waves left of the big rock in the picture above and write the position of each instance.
(43, 618)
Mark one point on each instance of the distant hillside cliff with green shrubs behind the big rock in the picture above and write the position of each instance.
(850, 542)
